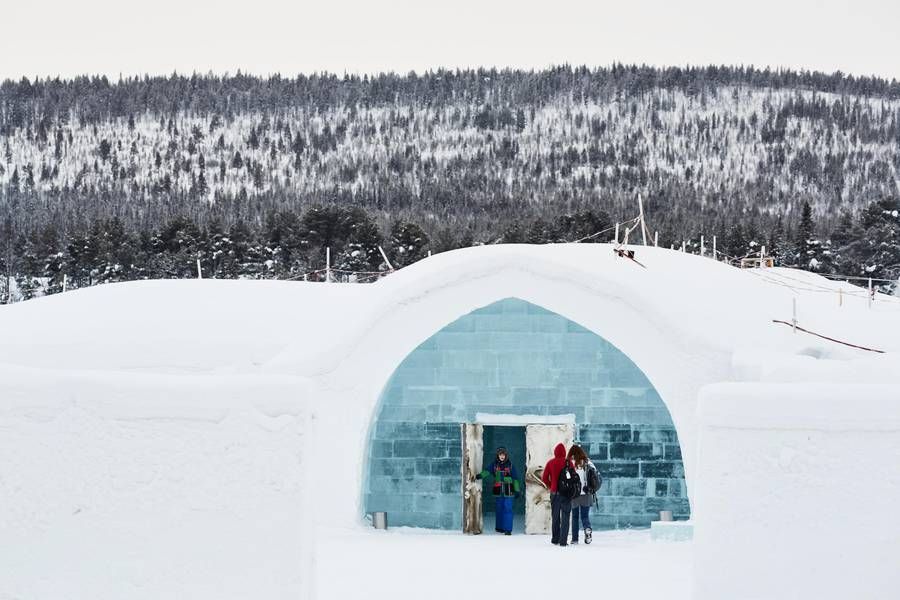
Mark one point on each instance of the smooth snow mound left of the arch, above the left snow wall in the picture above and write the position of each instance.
(184, 326)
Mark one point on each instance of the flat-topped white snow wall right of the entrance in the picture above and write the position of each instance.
(796, 491)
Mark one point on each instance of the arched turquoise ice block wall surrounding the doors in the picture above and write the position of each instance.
(513, 357)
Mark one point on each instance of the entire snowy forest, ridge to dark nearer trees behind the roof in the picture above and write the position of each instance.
(140, 178)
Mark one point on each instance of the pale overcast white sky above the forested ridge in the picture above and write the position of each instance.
(69, 37)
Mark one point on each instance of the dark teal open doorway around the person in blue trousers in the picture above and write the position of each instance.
(512, 438)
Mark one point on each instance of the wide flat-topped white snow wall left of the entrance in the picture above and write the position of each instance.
(137, 486)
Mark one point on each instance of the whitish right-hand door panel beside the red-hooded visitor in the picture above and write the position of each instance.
(540, 440)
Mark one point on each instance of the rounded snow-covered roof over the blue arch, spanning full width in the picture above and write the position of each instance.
(300, 327)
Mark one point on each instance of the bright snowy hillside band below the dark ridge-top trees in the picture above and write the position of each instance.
(728, 137)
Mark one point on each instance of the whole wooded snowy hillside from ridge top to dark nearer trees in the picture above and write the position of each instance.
(454, 141)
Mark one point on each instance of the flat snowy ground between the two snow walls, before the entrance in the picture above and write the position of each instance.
(415, 564)
